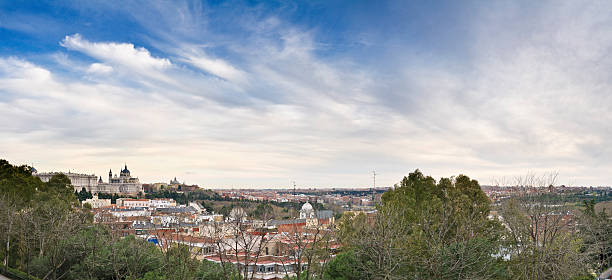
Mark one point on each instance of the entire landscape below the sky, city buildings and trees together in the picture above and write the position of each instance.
(64, 225)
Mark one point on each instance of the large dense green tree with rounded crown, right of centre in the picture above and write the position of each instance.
(426, 230)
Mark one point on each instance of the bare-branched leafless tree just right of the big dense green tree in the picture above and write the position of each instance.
(541, 241)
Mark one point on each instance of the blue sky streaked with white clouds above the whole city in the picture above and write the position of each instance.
(261, 94)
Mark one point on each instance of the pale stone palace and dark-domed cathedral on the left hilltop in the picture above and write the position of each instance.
(122, 184)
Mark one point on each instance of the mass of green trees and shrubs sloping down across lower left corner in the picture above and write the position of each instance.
(45, 233)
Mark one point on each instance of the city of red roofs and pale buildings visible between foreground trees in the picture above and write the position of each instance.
(211, 223)
